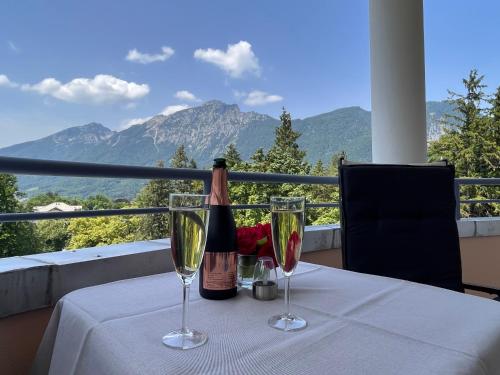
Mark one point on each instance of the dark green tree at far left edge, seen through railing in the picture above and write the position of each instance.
(16, 238)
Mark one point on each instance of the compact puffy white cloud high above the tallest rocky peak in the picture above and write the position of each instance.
(237, 60)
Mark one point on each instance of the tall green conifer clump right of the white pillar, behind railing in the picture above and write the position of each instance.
(471, 142)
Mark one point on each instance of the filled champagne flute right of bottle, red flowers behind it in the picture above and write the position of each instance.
(287, 224)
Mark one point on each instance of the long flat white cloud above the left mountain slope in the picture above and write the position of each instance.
(98, 90)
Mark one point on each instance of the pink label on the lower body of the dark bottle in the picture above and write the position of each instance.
(219, 270)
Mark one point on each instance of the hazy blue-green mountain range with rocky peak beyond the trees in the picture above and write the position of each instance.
(205, 131)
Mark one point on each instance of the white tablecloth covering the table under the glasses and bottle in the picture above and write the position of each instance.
(358, 324)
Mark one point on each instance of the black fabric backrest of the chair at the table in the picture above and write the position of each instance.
(399, 221)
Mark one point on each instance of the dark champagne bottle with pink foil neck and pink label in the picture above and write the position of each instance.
(218, 270)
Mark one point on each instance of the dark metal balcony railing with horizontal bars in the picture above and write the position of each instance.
(40, 167)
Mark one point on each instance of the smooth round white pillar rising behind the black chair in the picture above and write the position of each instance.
(397, 81)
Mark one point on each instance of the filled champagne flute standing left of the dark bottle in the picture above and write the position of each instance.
(188, 228)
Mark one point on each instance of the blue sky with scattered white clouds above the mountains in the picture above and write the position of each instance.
(64, 63)
